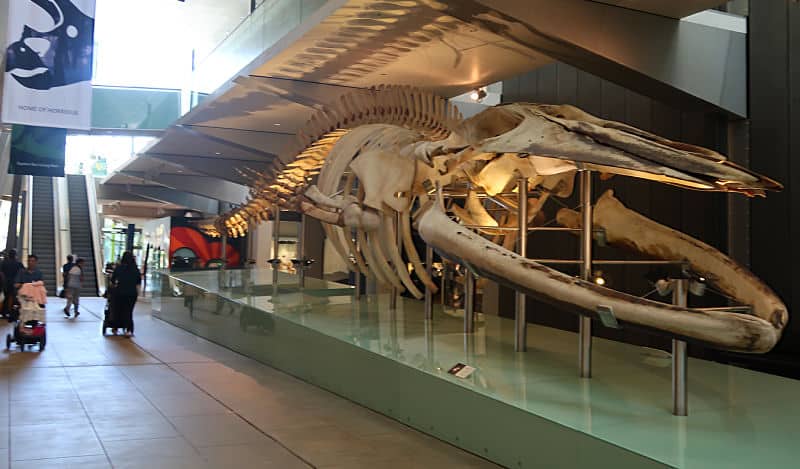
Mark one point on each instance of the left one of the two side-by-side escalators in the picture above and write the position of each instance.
(43, 242)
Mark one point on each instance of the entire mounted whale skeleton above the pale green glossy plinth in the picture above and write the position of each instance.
(368, 165)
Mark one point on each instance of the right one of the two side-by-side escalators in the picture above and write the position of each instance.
(81, 236)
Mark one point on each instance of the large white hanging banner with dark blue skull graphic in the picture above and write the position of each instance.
(48, 72)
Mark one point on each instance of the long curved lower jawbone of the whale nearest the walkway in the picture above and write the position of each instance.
(731, 331)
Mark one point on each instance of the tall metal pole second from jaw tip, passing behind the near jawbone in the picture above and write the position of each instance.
(585, 322)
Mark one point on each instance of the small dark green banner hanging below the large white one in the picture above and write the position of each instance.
(37, 151)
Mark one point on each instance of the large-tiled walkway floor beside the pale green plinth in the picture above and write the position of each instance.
(168, 399)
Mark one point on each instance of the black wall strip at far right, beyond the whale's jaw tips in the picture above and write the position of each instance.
(775, 150)
